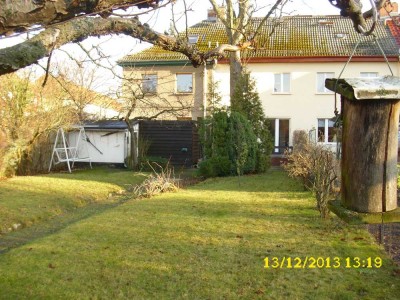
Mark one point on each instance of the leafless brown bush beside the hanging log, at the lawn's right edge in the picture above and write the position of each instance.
(316, 166)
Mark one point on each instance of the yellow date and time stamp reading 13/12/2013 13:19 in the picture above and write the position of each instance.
(311, 262)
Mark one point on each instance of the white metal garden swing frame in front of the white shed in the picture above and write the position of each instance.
(62, 152)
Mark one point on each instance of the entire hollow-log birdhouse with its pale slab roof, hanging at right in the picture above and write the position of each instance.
(370, 115)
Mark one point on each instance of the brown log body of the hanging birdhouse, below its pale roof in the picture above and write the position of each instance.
(369, 154)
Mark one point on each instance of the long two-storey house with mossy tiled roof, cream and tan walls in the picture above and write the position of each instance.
(290, 67)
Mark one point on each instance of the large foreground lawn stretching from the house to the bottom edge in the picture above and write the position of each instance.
(208, 241)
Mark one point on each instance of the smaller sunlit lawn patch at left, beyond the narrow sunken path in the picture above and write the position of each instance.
(27, 200)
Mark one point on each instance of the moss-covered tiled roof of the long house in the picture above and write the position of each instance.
(292, 36)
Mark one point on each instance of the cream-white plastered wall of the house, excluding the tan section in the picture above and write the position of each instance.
(303, 106)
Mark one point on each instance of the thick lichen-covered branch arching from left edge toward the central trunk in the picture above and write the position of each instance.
(30, 51)
